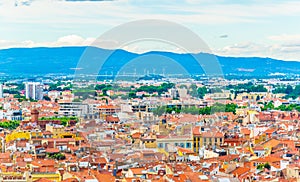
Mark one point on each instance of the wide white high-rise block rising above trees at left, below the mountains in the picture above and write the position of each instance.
(34, 90)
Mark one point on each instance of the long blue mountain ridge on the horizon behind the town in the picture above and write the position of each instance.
(66, 60)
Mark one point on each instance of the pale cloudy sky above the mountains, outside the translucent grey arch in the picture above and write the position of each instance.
(234, 28)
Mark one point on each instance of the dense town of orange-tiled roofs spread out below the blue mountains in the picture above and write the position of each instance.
(173, 130)
